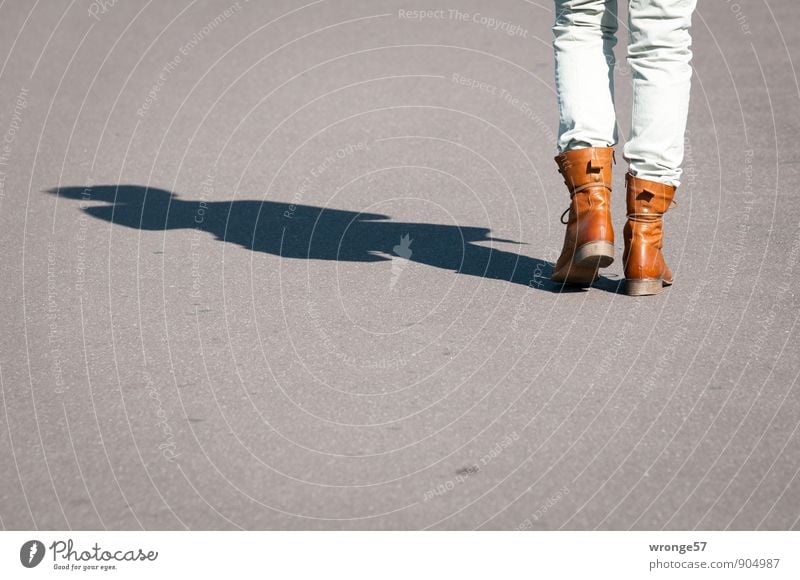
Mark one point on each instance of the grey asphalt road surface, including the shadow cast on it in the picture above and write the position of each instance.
(274, 265)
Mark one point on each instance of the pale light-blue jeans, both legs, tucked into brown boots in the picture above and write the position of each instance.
(659, 53)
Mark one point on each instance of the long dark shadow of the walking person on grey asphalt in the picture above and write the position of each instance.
(315, 233)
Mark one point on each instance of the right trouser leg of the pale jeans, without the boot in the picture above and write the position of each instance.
(659, 53)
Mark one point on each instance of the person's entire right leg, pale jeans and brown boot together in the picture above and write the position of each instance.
(659, 53)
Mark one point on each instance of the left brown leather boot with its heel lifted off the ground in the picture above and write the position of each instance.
(589, 239)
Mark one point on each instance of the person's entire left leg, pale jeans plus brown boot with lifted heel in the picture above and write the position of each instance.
(584, 38)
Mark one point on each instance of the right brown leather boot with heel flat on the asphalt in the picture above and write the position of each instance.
(646, 272)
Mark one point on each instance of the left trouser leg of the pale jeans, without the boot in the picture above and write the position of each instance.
(584, 38)
